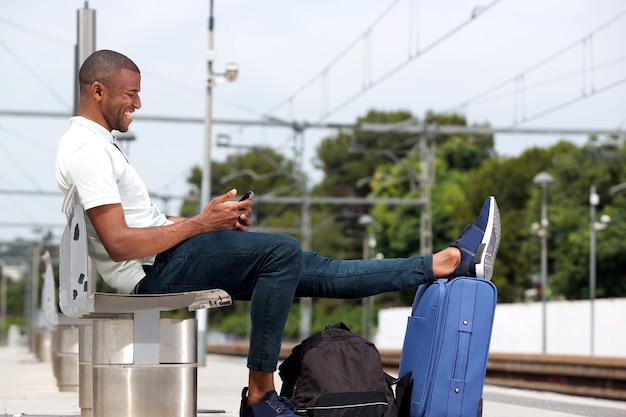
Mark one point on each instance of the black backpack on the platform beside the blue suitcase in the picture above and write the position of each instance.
(335, 373)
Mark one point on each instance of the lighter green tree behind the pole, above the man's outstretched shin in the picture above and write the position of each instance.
(456, 158)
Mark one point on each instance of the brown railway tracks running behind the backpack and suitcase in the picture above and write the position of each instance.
(577, 375)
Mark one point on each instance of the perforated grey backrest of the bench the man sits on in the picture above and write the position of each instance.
(76, 284)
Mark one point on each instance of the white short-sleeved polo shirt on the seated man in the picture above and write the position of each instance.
(88, 157)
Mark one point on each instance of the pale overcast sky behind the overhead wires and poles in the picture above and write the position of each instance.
(557, 64)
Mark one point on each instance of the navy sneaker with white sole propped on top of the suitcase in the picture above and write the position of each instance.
(479, 243)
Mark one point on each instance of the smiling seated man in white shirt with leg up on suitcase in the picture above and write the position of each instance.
(137, 249)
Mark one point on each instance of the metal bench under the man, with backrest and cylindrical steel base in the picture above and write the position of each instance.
(141, 364)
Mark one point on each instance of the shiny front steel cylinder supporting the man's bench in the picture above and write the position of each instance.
(137, 373)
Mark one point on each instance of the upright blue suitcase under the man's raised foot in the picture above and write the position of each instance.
(446, 347)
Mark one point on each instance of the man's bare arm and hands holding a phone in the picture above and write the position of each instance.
(125, 243)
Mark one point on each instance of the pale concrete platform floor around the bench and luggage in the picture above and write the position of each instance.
(28, 388)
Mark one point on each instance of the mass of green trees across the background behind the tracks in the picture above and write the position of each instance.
(467, 170)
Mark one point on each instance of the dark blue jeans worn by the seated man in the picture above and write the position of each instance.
(270, 270)
